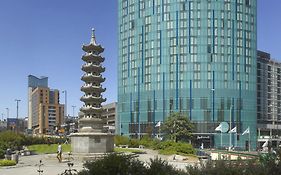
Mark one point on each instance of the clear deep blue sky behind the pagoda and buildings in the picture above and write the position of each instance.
(44, 38)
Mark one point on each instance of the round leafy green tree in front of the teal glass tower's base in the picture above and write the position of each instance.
(177, 127)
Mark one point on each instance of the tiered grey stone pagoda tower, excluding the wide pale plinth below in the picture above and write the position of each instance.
(91, 120)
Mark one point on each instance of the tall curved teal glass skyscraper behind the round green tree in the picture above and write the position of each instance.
(197, 57)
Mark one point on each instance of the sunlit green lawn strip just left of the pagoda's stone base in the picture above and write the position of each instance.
(48, 149)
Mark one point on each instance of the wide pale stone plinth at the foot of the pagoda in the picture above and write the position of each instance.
(92, 142)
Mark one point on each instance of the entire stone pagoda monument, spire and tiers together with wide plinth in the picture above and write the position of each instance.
(92, 138)
